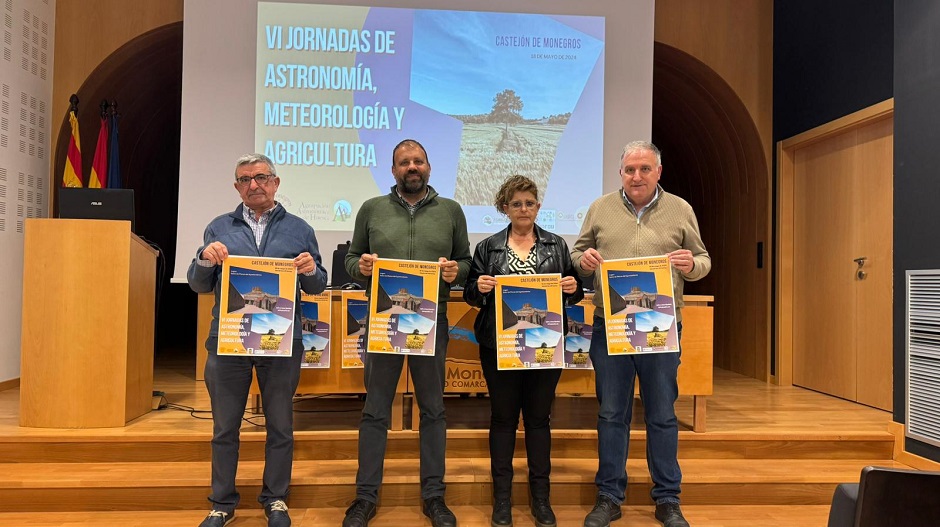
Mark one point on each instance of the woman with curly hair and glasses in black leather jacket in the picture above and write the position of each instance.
(522, 248)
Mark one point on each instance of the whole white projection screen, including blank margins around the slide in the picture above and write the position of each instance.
(547, 89)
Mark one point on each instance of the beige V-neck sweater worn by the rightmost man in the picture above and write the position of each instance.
(668, 224)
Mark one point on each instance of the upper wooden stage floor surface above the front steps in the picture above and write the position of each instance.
(739, 405)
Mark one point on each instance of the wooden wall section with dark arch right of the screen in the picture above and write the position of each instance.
(713, 120)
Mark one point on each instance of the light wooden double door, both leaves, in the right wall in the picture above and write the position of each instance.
(842, 321)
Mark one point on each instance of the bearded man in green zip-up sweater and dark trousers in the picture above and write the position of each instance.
(412, 222)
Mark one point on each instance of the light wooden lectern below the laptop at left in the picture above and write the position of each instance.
(88, 317)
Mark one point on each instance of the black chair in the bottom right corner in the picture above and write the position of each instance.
(887, 497)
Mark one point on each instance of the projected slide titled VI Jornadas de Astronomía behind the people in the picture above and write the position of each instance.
(488, 94)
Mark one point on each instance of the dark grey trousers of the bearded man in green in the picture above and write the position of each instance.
(382, 371)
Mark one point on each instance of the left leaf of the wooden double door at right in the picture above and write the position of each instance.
(823, 289)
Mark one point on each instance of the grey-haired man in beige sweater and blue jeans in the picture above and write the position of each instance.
(641, 219)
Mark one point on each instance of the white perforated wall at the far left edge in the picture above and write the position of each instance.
(26, 51)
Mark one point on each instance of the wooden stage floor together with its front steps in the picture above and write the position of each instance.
(771, 456)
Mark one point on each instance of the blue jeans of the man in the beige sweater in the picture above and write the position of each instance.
(659, 389)
